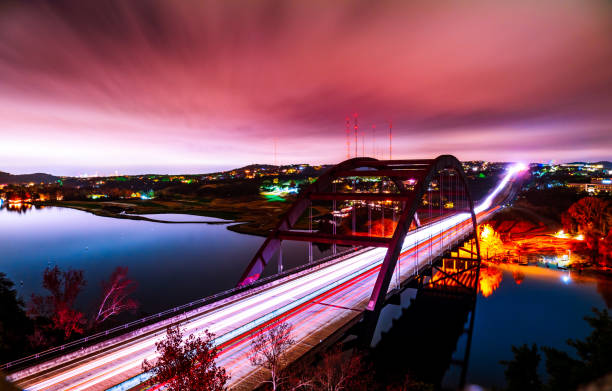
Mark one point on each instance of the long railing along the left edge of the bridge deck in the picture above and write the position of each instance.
(115, 331)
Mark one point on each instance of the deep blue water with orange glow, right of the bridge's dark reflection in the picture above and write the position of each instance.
(545, 307)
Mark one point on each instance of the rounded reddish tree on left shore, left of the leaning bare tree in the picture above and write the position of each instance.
(64, 287)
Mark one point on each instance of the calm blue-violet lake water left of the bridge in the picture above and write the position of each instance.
(172, 263)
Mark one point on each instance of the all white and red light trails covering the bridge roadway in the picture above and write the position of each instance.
(345, 284)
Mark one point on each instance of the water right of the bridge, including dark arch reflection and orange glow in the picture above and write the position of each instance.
(444, 338)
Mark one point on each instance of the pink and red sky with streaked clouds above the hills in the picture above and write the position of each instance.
(195, 86)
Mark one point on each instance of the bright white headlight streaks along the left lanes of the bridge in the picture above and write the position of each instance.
(271, 303)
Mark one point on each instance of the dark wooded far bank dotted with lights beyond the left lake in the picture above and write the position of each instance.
(235, 195)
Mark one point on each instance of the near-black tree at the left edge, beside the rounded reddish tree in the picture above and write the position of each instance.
(14, 324)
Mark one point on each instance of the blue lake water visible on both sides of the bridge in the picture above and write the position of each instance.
(177, 263)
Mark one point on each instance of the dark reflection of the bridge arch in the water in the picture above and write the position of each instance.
(432, 336)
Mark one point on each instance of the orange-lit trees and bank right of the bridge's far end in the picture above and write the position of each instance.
(556, 223)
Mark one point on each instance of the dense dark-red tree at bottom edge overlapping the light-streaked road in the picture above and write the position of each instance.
(186, 364)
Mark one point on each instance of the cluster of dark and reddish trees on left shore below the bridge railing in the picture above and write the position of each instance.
(53, 319)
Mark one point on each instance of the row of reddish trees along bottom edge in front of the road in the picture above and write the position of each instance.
(189, 364)
